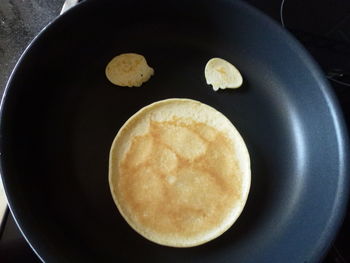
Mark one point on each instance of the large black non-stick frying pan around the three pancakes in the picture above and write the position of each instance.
(60, 115)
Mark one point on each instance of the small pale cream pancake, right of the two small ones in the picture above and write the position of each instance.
(221, 74)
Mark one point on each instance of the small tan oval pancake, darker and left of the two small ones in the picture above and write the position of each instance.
(128, 70)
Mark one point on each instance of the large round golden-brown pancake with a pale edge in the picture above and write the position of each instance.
(179, 172)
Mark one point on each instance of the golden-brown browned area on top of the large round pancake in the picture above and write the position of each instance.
(179, 178)
